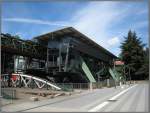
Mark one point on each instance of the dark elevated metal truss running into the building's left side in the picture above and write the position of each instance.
(22, 47)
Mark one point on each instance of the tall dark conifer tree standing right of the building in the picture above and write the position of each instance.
(132, 53)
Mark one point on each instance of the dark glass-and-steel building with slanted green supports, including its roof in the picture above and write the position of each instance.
(75, 57)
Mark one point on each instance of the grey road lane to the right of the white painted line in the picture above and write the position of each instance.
(134, 100)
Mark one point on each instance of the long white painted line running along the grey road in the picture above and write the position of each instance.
(100, 106)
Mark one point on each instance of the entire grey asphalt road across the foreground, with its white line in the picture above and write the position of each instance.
(132, 98)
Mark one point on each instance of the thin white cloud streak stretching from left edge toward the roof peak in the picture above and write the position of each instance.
(36, 21)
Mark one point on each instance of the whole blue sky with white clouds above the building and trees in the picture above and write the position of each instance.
(105, 22)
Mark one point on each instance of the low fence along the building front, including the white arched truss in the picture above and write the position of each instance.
(28, 81)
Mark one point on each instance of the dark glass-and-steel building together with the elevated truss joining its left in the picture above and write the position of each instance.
(65, 55)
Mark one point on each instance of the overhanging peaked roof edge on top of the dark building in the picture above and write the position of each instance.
(75, 33)
